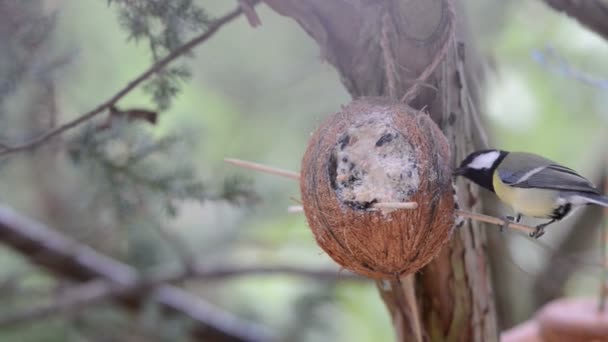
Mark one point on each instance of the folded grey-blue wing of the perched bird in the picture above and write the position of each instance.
(554, 177)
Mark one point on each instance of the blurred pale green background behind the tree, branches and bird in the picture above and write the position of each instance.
(257, 94)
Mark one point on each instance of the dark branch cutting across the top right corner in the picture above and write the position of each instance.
(590, 13)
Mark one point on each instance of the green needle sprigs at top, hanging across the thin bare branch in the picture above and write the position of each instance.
(164, 26)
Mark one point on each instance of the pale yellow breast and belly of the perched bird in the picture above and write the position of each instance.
(530, 202)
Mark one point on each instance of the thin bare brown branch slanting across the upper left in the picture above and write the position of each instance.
(7, 148)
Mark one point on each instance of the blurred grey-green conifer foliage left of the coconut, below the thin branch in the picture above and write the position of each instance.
(133, 169)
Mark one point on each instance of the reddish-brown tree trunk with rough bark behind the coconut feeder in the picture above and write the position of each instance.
(380, 48)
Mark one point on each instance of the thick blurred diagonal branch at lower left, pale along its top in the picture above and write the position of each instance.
(69, 259)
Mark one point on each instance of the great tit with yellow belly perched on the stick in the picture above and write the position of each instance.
(532, 185)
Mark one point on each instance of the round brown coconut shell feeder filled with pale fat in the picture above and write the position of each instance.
(376, 150)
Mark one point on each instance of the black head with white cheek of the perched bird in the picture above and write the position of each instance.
(479, 167)
